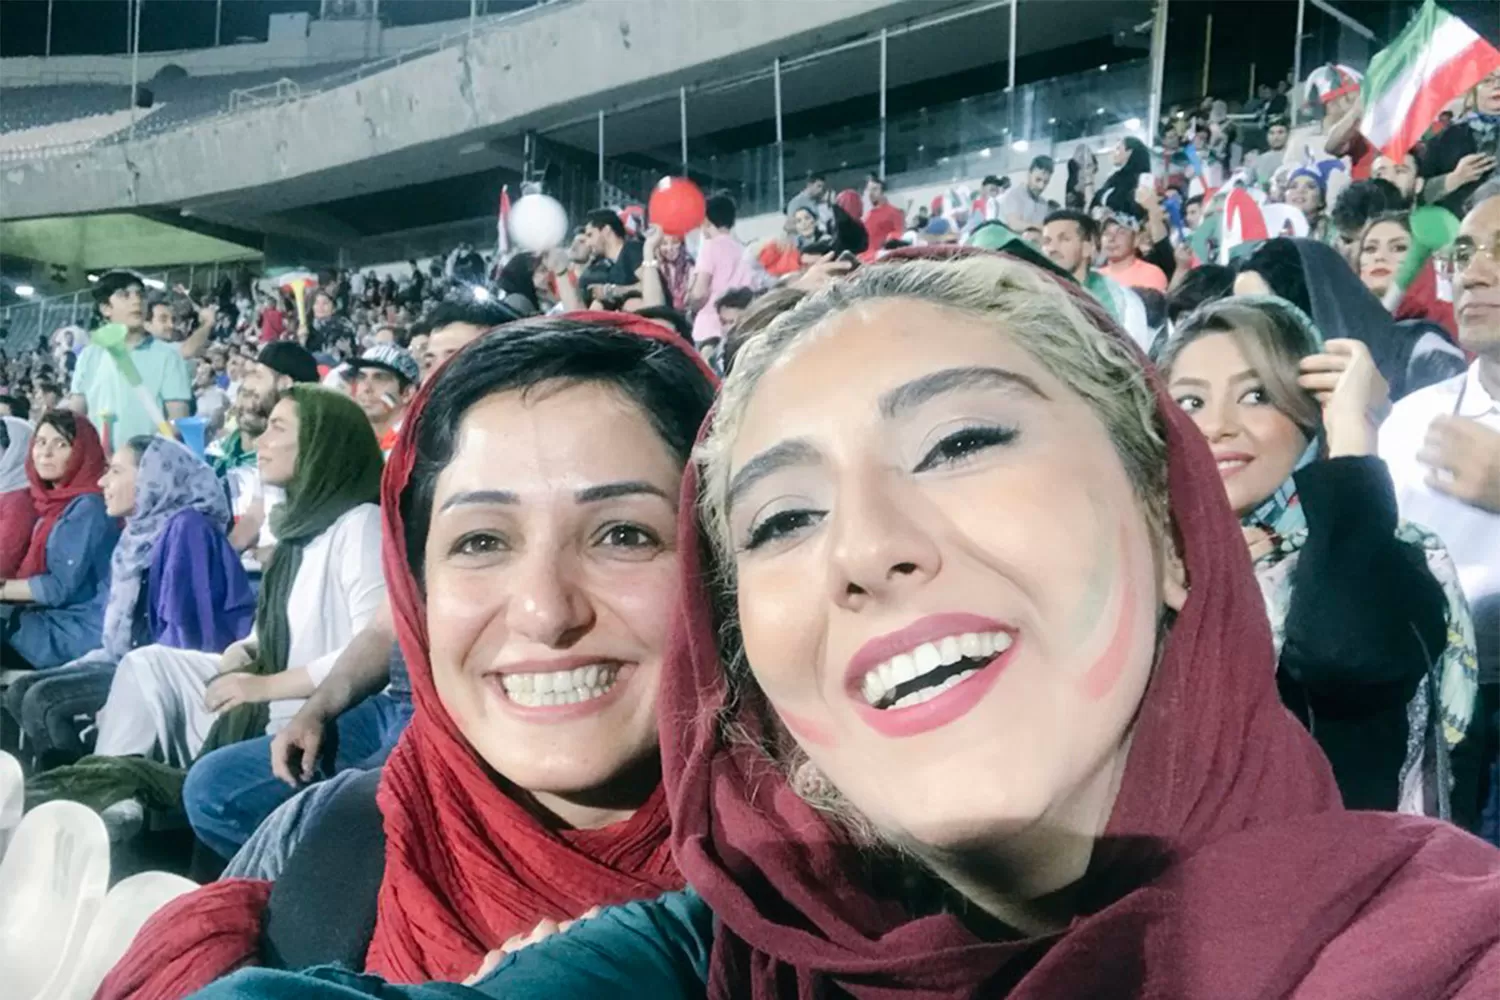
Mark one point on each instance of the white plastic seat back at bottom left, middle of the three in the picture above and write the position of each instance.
(53, 882)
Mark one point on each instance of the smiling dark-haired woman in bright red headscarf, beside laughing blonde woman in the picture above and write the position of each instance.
(532, 561)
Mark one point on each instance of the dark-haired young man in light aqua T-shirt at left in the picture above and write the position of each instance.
(101, 391)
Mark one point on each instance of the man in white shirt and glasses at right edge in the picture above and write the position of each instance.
(1442, 446)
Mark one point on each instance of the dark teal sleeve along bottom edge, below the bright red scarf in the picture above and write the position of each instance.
(652, 950)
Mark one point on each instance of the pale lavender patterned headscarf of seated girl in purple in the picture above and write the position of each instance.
(170, 481)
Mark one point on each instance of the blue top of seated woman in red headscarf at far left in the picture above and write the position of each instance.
(67, 614)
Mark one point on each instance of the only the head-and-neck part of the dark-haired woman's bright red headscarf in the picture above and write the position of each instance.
(466, 866)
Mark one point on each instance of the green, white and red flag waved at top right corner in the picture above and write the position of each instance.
(1435, 61)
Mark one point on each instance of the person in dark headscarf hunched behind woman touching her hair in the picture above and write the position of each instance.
(1318, 281)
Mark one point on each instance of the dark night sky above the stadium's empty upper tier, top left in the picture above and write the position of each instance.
(100, 26)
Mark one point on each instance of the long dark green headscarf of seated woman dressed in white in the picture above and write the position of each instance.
(338, 469)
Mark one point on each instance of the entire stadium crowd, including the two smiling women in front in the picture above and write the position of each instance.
(932, 665)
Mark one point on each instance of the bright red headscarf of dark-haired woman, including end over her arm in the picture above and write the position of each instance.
(466, 867)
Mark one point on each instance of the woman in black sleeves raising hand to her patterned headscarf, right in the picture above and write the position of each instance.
(1361, 606)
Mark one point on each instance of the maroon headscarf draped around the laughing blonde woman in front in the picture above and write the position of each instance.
(1228, 867)
